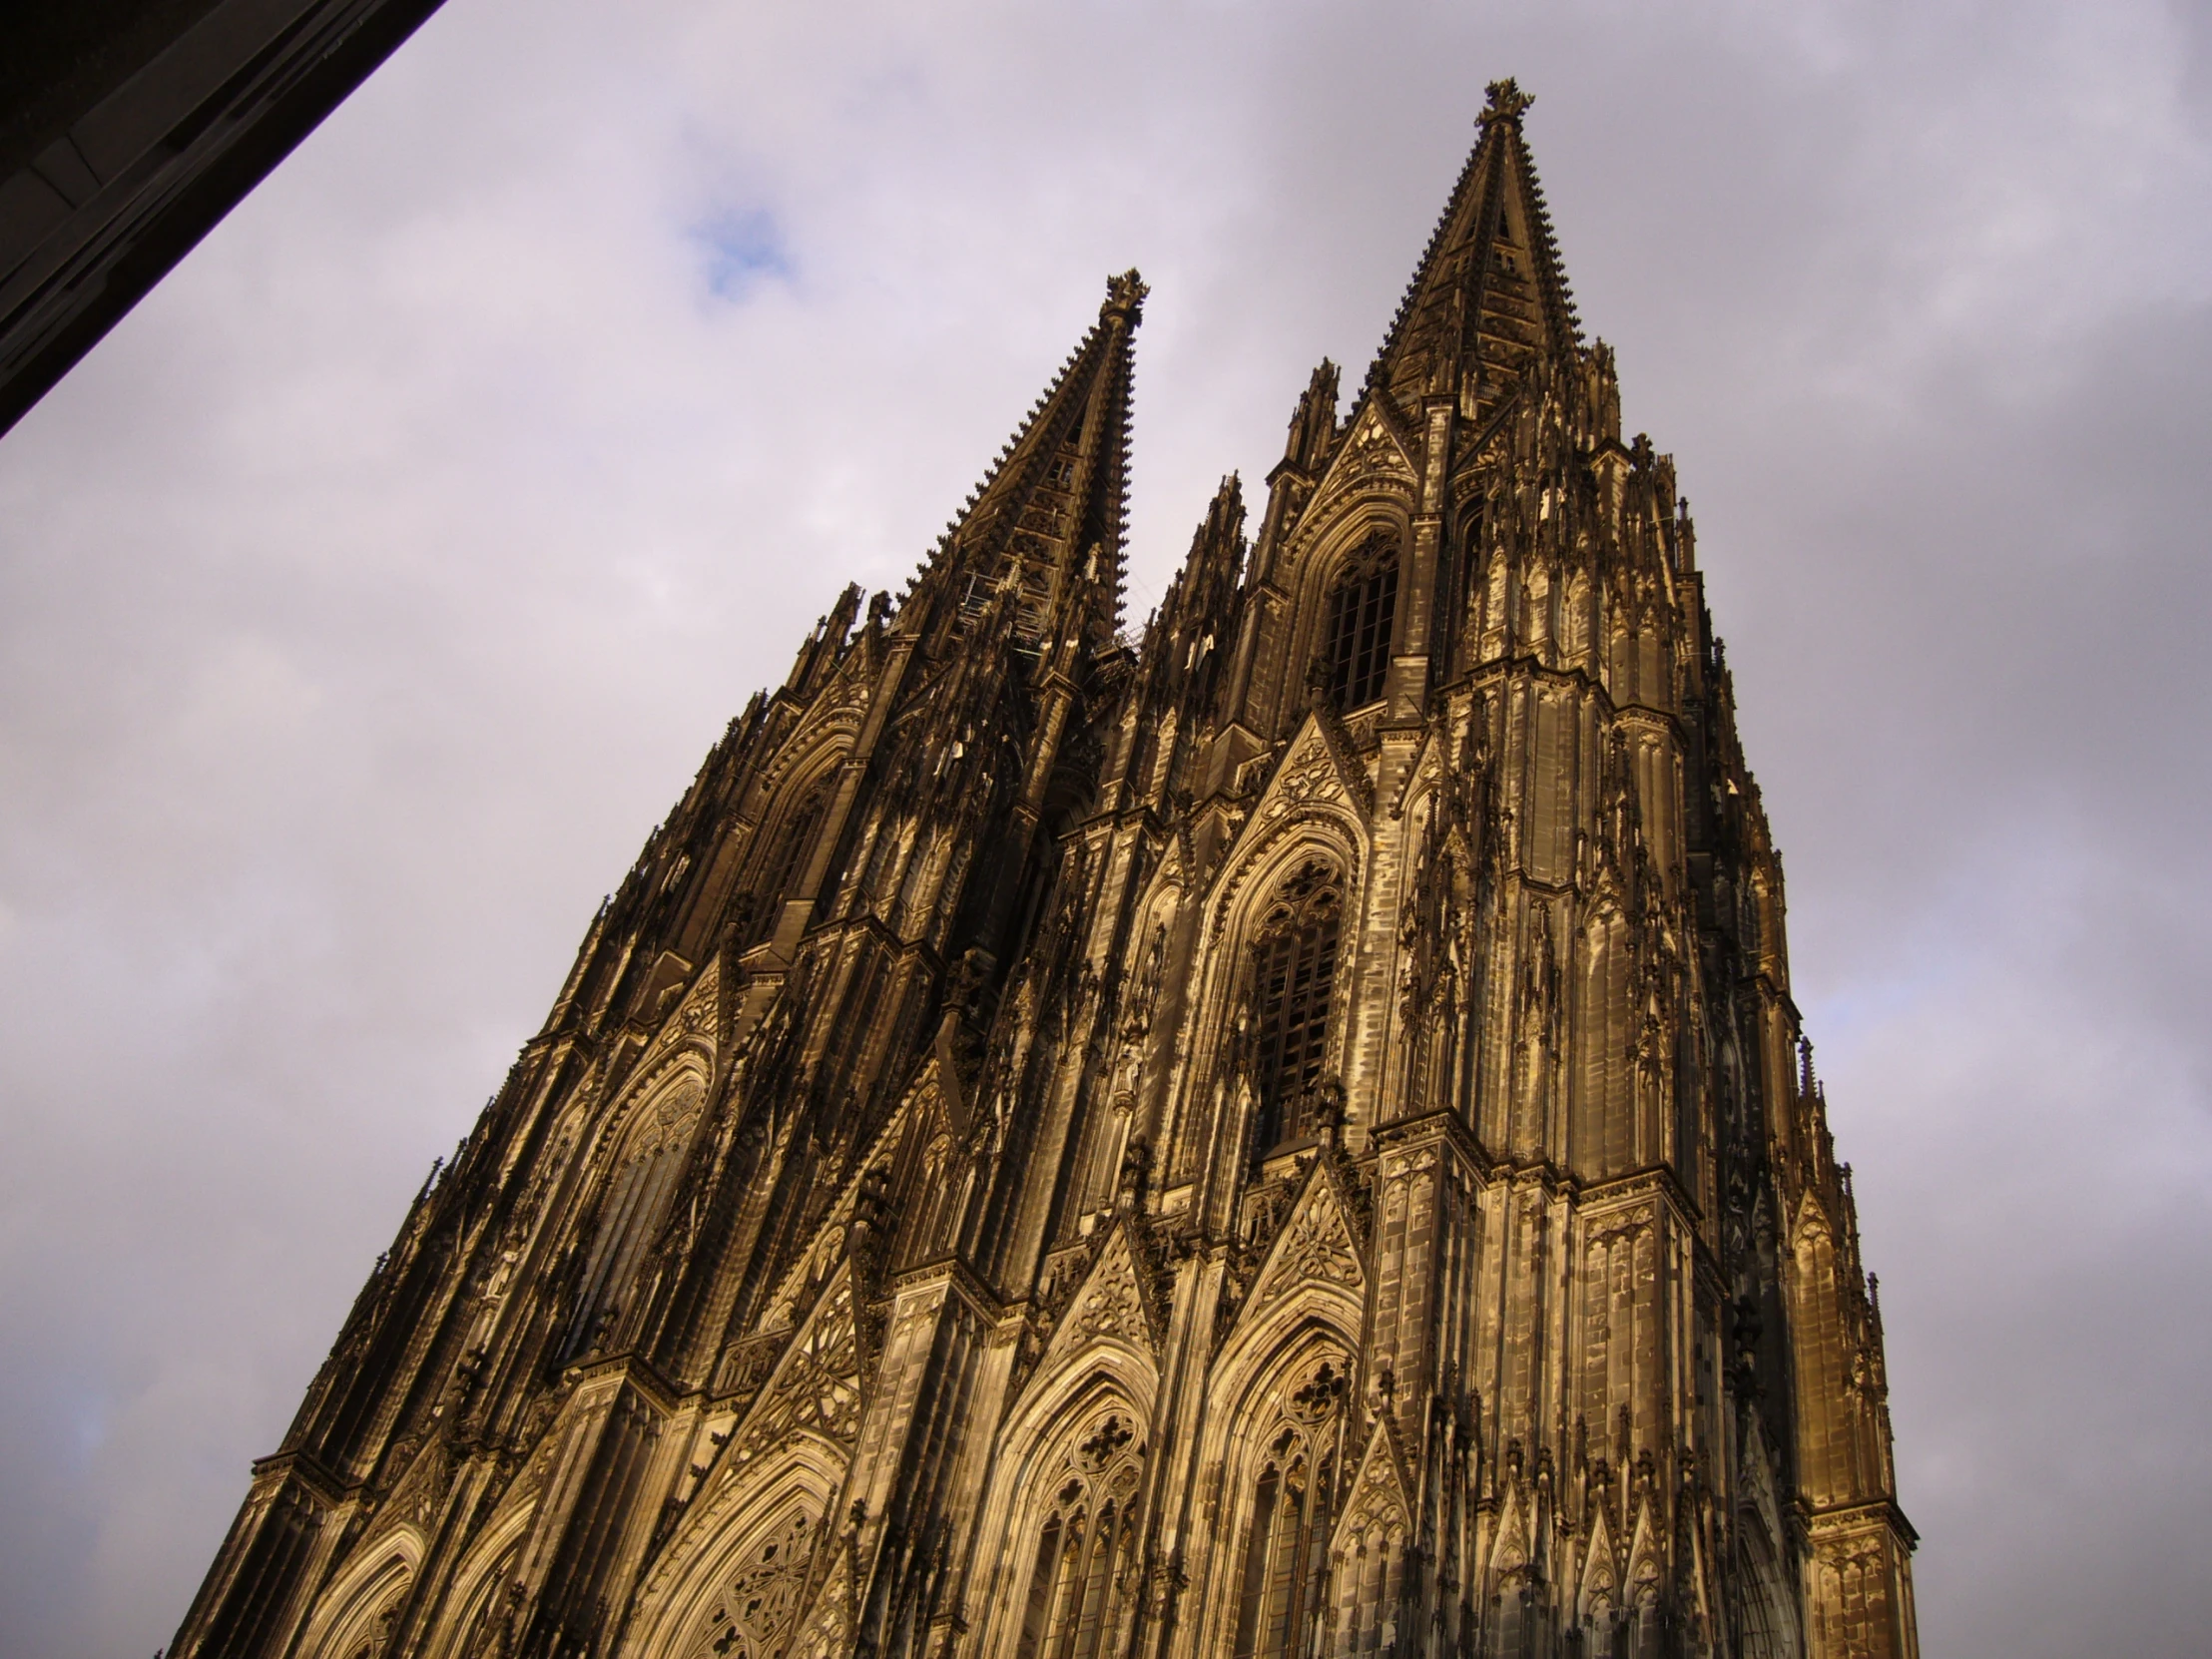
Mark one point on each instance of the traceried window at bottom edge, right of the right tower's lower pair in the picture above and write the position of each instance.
(1286, 1550)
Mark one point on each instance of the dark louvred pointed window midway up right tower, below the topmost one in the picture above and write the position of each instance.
(1295, 972)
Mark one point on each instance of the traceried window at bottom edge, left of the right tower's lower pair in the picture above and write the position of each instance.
(1081, 1574)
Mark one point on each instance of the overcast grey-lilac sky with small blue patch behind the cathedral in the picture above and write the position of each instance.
(384, 578)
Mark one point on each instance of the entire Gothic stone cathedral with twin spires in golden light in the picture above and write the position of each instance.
(1284, 1136)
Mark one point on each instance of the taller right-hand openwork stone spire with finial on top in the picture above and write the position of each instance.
(1490, 293)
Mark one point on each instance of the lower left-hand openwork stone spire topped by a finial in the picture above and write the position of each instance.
(1050, 514)
